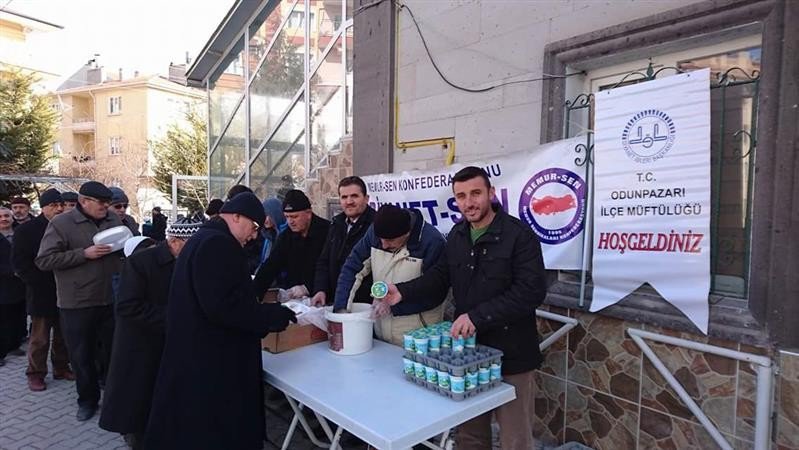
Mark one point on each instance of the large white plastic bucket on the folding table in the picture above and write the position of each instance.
(350, 333)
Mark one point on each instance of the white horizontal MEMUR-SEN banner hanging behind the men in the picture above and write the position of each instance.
(543, 187)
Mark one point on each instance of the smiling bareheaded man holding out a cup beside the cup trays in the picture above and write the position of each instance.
(493, 263)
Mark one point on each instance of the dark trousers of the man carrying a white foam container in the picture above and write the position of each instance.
(88, 333)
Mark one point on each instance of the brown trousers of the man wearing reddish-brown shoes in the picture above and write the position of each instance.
(39, 347)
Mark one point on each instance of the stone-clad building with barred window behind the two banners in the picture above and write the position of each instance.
(510, 75)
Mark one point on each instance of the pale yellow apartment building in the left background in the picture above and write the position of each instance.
(107, 125)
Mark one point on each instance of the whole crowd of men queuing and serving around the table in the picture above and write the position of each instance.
(173, 324)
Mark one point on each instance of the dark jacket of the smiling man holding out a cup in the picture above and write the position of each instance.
(499, 281)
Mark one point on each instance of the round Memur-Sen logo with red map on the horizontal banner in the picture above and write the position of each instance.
(553, 205)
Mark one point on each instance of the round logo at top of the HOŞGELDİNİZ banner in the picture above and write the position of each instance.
(648, 136)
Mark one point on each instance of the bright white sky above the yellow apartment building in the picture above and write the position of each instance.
(143, 35)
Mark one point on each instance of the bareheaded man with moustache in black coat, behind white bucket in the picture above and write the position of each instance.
(346, 230)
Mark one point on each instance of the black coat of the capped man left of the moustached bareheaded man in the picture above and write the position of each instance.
(293, 259)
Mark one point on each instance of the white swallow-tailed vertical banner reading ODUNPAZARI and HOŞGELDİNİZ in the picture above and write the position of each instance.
(652, 193)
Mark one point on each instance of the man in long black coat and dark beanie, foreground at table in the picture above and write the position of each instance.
(209, 389)
